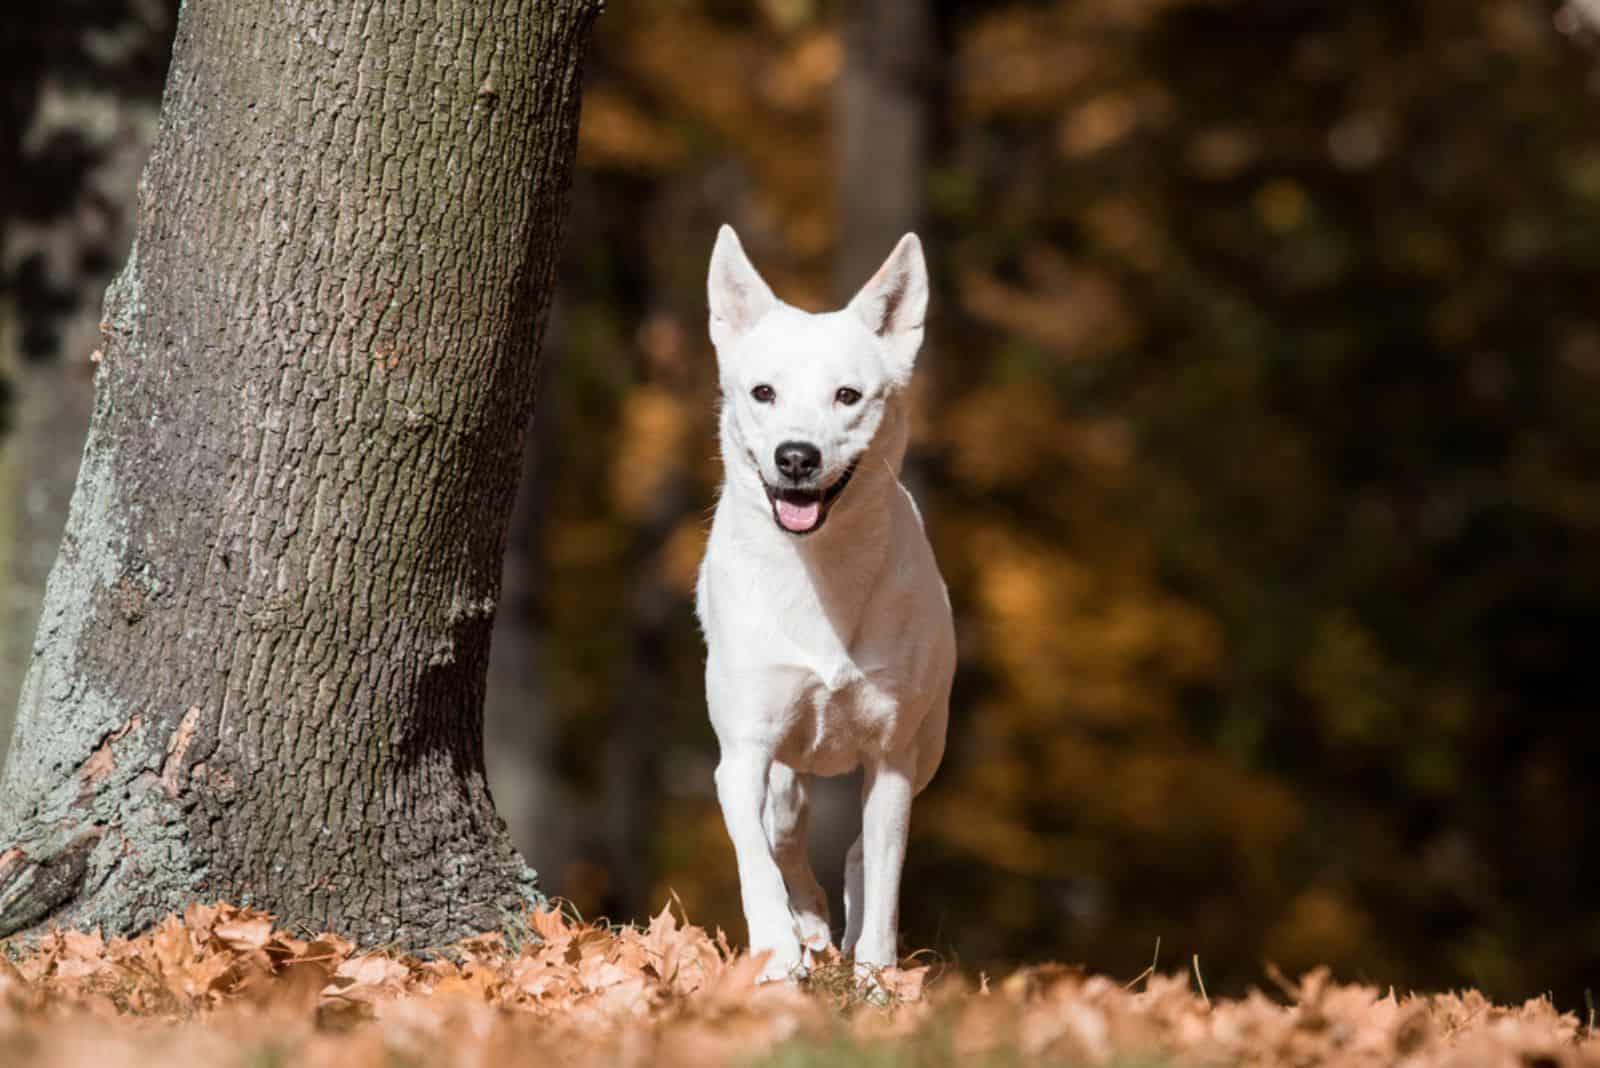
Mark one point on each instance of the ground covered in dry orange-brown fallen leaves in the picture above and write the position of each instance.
(223, 987)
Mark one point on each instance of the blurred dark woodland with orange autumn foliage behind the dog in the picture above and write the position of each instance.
(1257, 436)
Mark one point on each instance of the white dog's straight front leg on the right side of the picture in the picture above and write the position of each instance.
(886, 823)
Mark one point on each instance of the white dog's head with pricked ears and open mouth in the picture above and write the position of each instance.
(806, 396)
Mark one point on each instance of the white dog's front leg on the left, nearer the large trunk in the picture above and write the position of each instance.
(742, 791)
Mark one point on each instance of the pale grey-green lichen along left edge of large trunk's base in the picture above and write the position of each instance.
(84, 783)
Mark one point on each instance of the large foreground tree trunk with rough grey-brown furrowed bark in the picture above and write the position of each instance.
(262, 663)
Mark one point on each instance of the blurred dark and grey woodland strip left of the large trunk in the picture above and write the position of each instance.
(74, 135)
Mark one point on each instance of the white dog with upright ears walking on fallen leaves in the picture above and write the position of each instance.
(830, 629)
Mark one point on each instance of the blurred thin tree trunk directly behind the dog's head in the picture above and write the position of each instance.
(882, 116)
